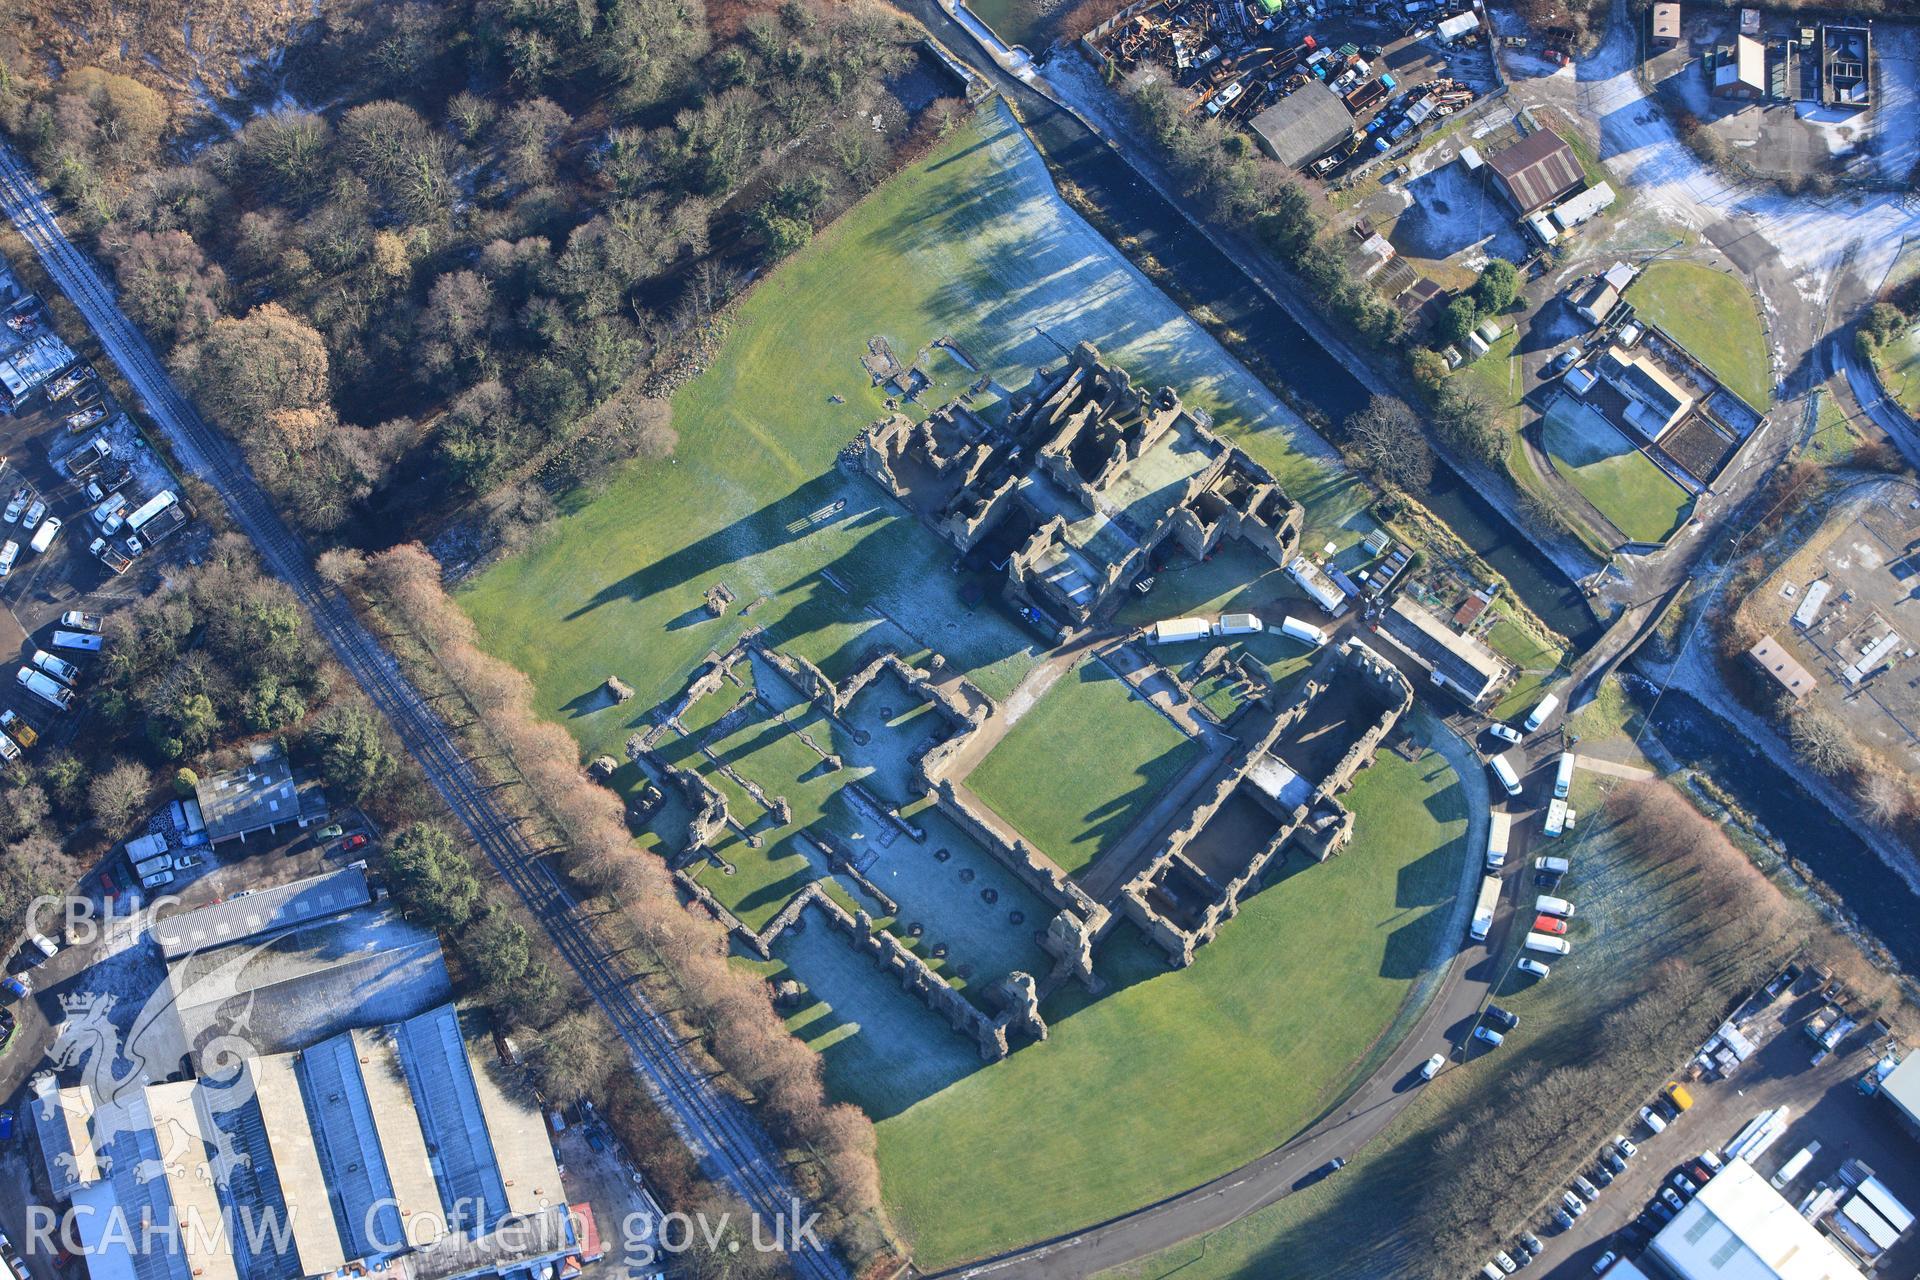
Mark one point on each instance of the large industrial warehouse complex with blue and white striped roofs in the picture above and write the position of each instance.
(381, 1129)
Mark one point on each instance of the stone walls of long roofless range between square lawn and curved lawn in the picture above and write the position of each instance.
(1320, 826)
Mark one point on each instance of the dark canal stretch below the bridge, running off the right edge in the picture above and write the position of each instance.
(1821, 841)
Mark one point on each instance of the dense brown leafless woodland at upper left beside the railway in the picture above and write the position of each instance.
(510, 220)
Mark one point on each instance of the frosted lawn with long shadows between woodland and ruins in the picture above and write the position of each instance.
(972, 243)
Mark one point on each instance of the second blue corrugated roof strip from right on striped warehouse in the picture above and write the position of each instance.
(358, 1183)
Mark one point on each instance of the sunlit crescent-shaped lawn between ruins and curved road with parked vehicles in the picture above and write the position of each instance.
(1174, 1078)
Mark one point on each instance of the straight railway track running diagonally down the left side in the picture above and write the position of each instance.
(711, 1122)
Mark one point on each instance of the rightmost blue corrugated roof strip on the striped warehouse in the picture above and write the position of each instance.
(458, 1145)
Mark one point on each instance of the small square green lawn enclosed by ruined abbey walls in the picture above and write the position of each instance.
(1078, 769)
